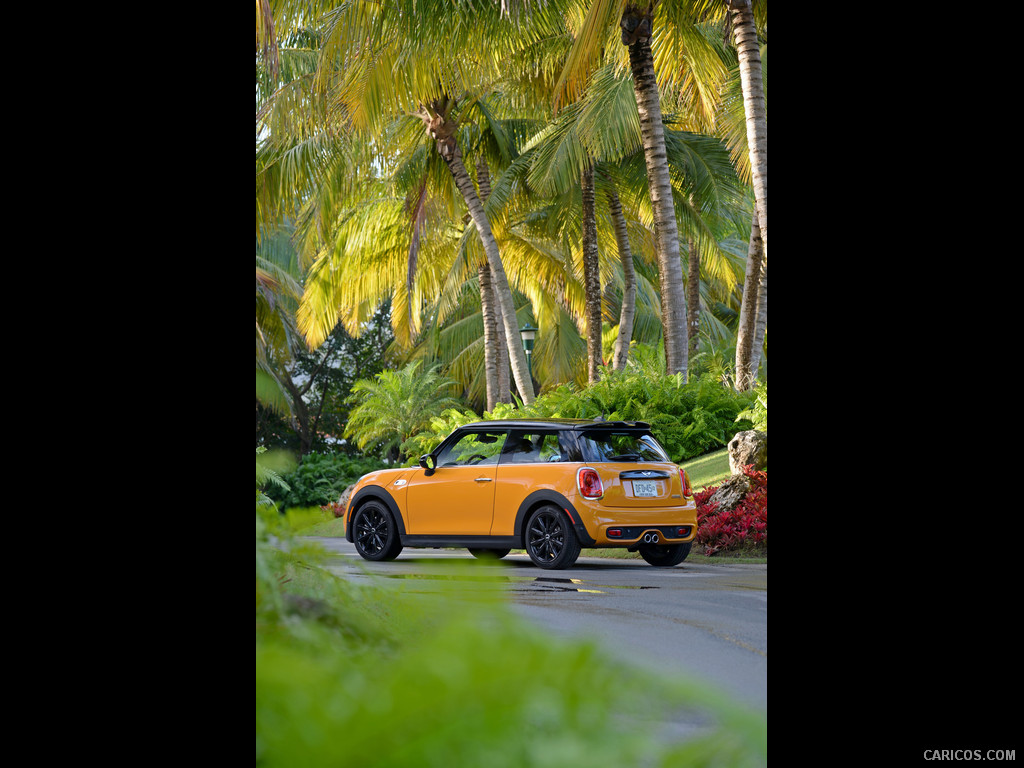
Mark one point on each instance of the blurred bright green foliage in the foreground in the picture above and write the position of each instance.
(380, 676)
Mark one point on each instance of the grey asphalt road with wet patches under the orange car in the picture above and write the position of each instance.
(706, 622)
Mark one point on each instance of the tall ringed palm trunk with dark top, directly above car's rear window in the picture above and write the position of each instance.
(636, 26)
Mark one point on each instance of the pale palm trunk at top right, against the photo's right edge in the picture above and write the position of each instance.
(754, 106)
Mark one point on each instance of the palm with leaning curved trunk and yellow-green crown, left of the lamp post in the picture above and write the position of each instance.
(377, 65)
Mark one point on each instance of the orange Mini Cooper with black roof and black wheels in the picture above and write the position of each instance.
(548, 487)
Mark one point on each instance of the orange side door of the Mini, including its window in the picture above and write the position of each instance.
(458, 498)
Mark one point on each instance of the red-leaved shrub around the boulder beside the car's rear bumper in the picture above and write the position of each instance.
(743, 529)
